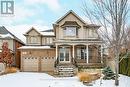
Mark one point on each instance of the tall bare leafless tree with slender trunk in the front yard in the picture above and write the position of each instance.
(112, 16)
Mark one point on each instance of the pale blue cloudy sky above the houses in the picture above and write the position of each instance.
(40, 14)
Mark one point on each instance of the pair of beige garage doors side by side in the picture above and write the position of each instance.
(36, 64)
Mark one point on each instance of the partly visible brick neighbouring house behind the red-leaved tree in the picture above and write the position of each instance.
(13, 43)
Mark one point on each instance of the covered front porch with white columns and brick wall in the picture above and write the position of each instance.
(88, 55)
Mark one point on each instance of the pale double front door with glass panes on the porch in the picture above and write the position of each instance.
(64, 54)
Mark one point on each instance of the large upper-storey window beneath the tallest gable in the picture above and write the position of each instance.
(70, 31)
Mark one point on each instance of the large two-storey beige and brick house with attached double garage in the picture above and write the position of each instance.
(73, 42)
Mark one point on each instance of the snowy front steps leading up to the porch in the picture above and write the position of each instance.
(66, 70)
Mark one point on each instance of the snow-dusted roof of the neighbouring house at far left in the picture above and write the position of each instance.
(4, 32)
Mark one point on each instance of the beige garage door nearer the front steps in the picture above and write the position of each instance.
(47, 63)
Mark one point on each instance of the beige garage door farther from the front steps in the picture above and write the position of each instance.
(30, 64)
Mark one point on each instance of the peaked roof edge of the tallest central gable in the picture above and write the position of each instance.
(69, 12)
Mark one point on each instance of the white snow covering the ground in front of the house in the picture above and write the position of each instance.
(24, 79)
